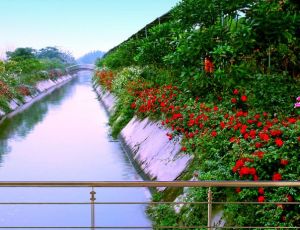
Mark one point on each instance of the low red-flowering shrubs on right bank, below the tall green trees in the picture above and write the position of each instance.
(242, 143)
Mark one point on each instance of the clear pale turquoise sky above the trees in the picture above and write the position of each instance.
(78, 26)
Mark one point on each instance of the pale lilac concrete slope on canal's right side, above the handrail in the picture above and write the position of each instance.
(146, 142)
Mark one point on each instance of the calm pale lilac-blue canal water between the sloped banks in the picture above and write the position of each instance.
(65, 137)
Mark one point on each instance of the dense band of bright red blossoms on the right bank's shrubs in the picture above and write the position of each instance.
(196, 120)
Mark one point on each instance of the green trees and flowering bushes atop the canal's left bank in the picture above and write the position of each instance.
(26, 66)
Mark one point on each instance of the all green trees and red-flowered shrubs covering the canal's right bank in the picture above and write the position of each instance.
(224, 76)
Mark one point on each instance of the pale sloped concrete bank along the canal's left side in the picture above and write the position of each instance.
(43, 88)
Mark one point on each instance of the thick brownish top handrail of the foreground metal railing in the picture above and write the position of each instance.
(150, 184)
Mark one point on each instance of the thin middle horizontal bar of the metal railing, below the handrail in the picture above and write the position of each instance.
(148, 203)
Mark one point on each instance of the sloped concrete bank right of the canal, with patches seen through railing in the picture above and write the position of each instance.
(159, 159)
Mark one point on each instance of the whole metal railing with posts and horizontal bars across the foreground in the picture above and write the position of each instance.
(147, 184)
